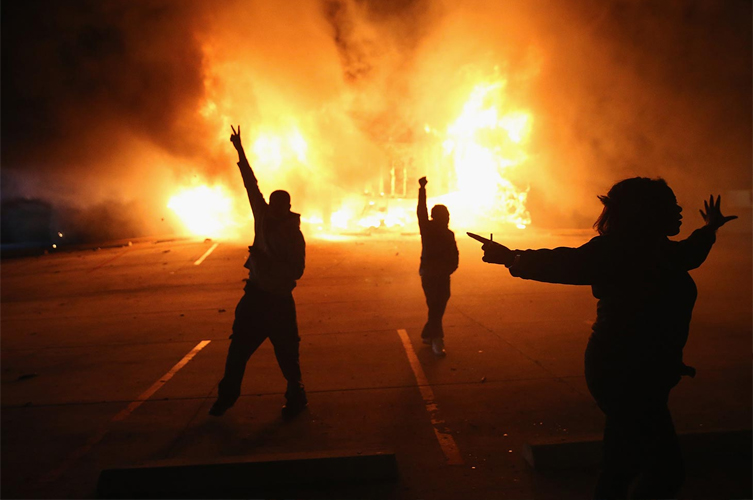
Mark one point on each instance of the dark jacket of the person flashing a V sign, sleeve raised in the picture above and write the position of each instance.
(278, 256)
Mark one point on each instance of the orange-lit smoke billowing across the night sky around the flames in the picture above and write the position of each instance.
(120, 102)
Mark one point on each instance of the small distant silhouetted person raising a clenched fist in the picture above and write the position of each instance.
(439, 259)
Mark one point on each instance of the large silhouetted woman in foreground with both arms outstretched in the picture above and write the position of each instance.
(645, 300)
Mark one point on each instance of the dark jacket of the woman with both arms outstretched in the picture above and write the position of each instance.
(645, 295)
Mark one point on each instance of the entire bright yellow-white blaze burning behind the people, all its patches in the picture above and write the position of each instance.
(467, 161)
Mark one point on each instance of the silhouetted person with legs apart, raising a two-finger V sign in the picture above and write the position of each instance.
(267, 309)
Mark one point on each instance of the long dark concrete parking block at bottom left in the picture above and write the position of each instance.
(250, 477)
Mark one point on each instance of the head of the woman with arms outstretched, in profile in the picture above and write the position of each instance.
(640, 207)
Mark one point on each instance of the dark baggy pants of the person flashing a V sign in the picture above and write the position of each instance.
(260, 315)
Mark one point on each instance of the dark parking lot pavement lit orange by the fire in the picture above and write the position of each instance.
(85, 334)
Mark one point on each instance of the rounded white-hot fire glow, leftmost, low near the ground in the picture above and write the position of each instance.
(205, 211)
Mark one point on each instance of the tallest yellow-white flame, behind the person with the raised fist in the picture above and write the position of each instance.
(478, 149)
